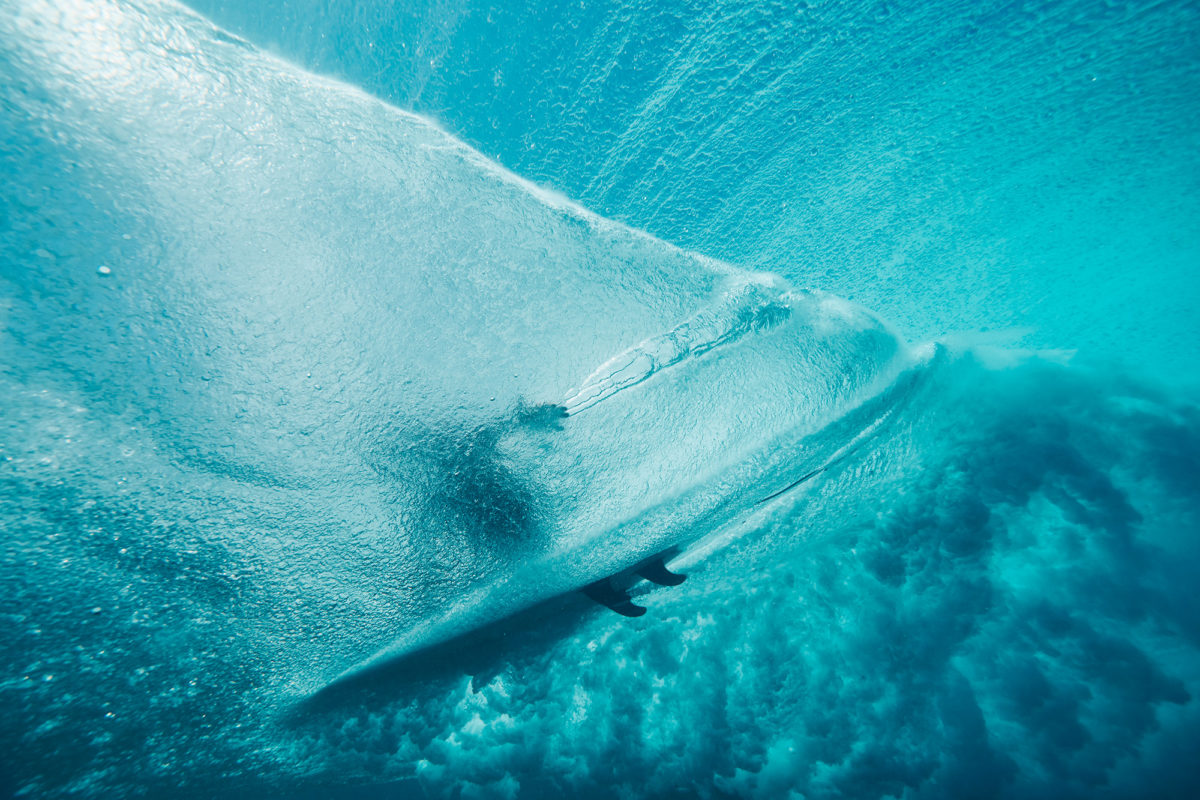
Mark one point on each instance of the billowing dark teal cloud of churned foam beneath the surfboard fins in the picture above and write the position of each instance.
(993, 604)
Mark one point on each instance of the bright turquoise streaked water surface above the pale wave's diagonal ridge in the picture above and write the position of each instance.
(955, 167)
